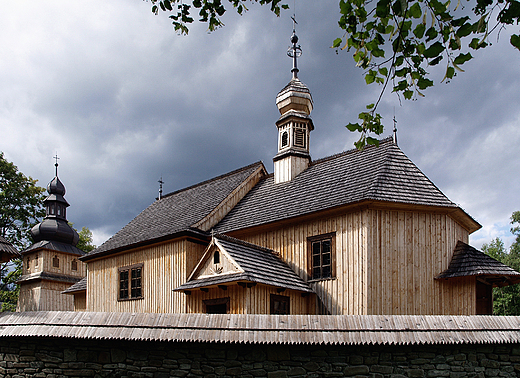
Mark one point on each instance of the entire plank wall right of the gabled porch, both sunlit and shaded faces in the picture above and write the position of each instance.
(386, 262)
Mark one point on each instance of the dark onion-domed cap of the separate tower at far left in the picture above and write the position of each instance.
(54, 226)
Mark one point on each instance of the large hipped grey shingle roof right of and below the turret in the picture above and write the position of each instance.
(381, 173)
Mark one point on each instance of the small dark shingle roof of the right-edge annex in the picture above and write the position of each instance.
(468, 261)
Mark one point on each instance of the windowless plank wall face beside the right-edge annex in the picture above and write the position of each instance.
(406, 251)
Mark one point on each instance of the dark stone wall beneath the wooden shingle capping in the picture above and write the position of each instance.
(61, 358)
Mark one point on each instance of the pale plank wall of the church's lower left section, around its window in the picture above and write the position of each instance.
(165, 267)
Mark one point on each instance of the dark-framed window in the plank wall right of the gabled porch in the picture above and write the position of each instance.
(321, 256)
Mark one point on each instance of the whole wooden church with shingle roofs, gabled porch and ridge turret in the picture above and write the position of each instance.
(360, 232)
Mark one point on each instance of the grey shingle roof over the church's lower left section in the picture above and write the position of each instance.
(177, 211)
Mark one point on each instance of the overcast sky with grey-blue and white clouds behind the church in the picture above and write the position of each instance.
(123, 100)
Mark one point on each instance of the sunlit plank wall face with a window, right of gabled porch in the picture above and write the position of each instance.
(346, 294)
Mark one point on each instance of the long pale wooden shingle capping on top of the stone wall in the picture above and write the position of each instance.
(265, 329)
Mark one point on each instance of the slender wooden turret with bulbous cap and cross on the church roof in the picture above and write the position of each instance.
(294, 125)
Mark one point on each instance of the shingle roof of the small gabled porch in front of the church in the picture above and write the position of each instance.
(260, 265)
